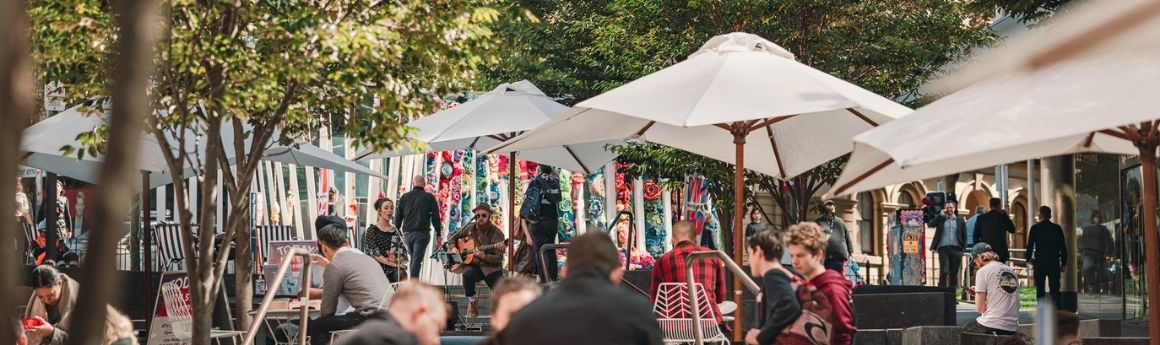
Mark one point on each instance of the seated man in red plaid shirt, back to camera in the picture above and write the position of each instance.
(671, 268)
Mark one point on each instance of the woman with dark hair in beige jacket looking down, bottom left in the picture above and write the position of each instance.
(56, 296)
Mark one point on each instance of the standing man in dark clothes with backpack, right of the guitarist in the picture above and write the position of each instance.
(546, 192)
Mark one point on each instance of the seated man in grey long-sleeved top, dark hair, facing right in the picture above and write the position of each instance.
(350, 275)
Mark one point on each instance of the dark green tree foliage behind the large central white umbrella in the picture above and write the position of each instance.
(581, 49)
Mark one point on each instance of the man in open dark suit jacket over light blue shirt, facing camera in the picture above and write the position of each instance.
(951, 240)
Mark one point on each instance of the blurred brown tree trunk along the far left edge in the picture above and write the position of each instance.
(17, 85)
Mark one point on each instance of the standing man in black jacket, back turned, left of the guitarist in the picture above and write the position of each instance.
(418, 211)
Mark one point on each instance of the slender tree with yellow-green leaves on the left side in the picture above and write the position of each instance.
(235, 77)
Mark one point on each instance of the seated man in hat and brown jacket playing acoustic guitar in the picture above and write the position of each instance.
(490, 264)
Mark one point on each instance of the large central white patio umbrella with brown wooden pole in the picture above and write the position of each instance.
(738, 96)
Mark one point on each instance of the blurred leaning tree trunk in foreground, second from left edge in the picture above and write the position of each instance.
(133, 68)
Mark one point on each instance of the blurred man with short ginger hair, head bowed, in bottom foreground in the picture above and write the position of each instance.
(417, 315)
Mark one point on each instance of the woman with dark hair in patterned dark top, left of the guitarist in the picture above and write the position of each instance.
(385, 243)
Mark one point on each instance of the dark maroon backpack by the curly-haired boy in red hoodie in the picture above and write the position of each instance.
(813, 327)
